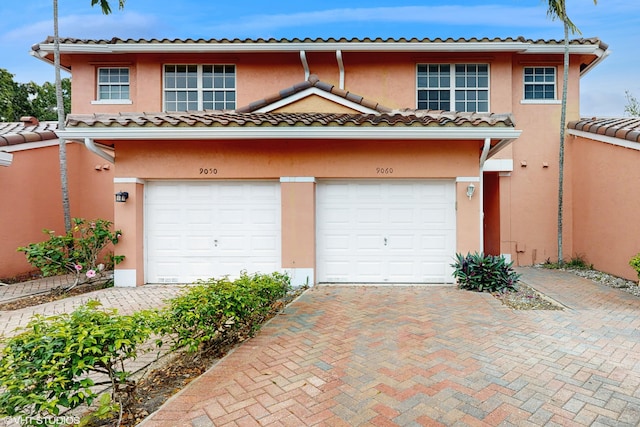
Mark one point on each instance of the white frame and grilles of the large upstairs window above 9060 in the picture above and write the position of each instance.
(455, 89)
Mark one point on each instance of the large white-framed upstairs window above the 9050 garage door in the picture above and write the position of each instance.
(199, 87)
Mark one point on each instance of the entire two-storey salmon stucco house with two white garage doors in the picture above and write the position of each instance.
(360, 160)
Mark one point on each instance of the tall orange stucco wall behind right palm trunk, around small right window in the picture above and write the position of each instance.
(529, 196)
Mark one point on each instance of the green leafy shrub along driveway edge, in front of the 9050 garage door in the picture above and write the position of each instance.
(221, 311)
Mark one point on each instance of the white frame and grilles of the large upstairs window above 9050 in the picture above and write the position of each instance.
(199, 88)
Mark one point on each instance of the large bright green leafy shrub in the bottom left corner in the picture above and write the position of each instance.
(45, 368)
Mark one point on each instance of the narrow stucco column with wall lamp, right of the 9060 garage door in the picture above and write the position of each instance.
(468, 215)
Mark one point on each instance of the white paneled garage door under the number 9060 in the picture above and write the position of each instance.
(385, 231)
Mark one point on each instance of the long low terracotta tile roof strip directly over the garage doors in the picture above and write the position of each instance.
(234, 119)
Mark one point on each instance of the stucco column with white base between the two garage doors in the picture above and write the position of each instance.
(298, 198)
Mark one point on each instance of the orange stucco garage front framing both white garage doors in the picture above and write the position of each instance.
(321, 159)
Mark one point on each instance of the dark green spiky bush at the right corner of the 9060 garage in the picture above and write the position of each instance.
(480, 272)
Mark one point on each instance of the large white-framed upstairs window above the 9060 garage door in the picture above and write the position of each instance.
(453, 87)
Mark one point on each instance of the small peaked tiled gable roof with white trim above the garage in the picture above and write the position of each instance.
(313, 81)
